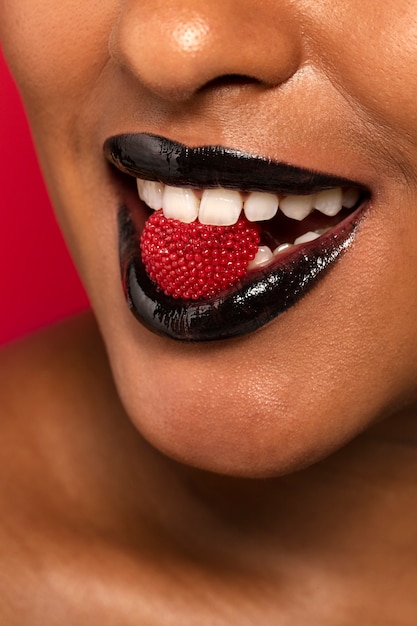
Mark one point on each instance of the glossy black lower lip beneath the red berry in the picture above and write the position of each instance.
(258, 299)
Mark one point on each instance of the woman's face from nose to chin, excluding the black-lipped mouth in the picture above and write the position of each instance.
(327, 86)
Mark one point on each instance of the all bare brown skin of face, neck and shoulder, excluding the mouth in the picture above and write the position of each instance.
(112, 512)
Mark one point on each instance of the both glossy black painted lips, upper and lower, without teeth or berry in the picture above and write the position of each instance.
(263, 294)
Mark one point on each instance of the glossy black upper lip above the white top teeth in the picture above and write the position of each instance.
(153, 157)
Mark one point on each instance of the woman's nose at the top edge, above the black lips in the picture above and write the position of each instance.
(177, 47)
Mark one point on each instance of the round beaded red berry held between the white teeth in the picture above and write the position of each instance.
(192, 261)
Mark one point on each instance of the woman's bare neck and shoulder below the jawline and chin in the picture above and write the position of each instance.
(94, 532)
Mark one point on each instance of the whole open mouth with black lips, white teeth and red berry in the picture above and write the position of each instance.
(188, 272)
